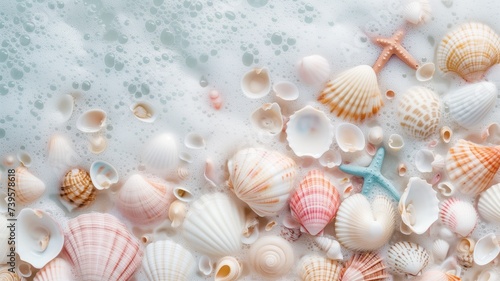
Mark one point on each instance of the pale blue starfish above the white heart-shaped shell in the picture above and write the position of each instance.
(372, 174)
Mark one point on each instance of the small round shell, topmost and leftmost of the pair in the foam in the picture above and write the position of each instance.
(256, 83)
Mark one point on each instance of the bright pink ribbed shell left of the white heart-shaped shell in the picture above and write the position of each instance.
(315, 202)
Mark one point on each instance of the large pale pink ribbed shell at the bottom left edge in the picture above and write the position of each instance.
(101, 248)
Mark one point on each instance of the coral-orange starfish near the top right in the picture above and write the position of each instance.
(392, 46)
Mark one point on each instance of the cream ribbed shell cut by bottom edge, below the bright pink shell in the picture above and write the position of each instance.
(316, 268)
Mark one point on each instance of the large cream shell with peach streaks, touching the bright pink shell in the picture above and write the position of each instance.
(263, 179)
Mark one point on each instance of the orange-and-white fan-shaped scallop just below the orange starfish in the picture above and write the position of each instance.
(354, 94)
